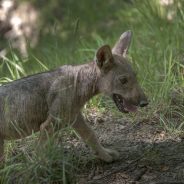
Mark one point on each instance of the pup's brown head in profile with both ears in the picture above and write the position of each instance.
(117, 78)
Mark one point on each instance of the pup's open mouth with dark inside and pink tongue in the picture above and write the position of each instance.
(123, 105)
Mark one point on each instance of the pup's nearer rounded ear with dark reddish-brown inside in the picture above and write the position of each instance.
(104, 58)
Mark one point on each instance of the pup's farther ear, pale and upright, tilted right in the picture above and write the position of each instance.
(122, 45)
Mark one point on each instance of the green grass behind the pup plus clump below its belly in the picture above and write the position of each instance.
(156, 54)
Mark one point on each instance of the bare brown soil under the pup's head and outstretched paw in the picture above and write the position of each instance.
(148, 154)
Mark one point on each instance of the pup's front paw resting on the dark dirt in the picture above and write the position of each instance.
(109, 155)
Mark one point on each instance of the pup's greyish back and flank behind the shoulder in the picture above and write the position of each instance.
(23, 104)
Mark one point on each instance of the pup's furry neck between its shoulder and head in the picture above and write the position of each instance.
(87, 81)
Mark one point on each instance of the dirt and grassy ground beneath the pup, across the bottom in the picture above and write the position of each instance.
(149, 153)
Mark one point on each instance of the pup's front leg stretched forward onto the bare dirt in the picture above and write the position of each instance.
(90, 138)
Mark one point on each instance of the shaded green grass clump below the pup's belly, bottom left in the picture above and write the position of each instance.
(27, 163)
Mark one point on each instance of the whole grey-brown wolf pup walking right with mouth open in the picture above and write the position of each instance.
(39, 102)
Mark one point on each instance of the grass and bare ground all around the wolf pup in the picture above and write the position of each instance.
(151, 145)
